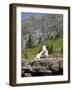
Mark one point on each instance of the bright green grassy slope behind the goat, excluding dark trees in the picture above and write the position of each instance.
(30, 53)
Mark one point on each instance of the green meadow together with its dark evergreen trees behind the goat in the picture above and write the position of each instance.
(54, 46)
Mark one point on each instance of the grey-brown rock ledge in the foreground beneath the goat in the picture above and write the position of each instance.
(48, 67)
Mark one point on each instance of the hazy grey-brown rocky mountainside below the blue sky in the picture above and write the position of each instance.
(45, 27)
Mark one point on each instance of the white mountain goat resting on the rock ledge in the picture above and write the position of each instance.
(42, 54)
